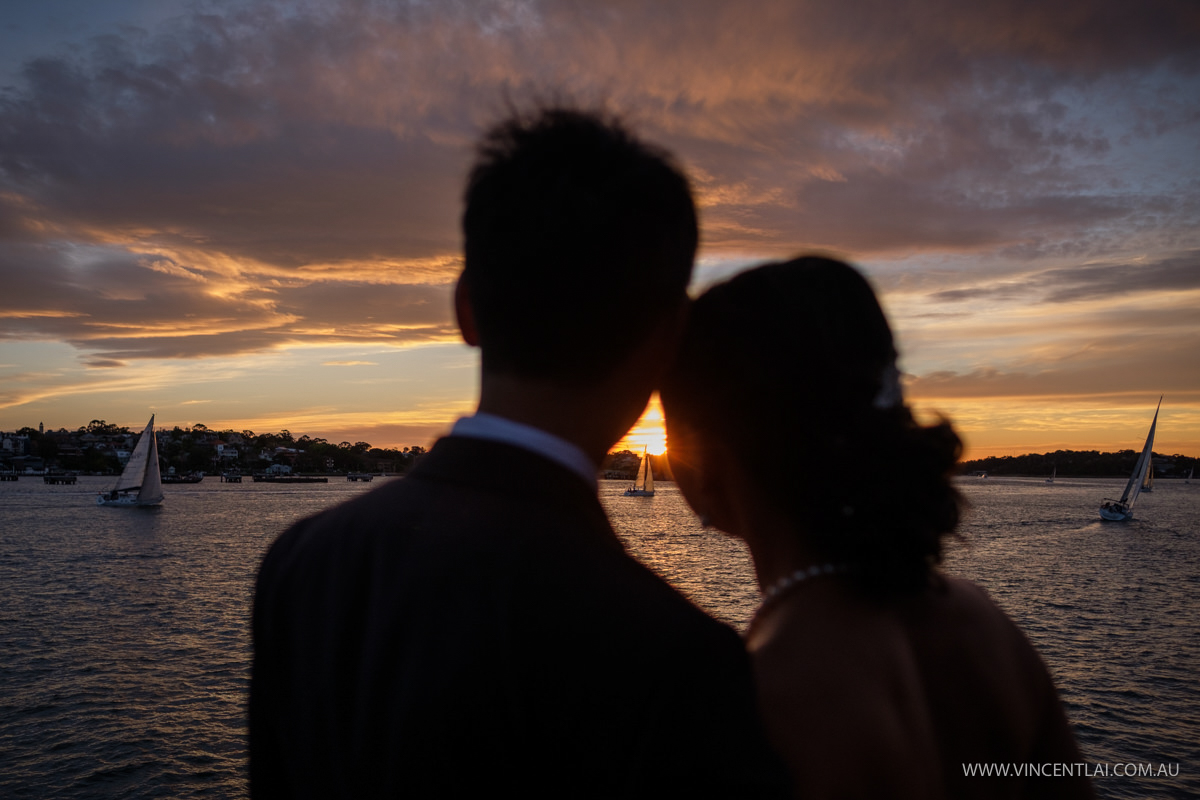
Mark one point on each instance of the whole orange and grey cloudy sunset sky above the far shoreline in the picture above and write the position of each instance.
(247, 214)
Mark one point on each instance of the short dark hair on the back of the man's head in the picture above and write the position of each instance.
(579, 240)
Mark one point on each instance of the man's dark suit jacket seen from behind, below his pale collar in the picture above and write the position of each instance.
(478, 628)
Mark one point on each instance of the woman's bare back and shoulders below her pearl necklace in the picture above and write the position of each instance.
(915, 687)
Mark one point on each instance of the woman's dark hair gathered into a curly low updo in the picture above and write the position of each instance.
(793, 365)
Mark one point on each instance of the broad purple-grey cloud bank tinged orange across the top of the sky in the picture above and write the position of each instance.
(296, 135)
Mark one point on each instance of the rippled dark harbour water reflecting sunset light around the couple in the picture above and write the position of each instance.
(124, 634)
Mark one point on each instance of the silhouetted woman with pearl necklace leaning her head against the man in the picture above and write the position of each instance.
(879, 676)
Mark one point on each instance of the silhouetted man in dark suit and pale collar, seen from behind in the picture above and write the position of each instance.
(477, 627)
